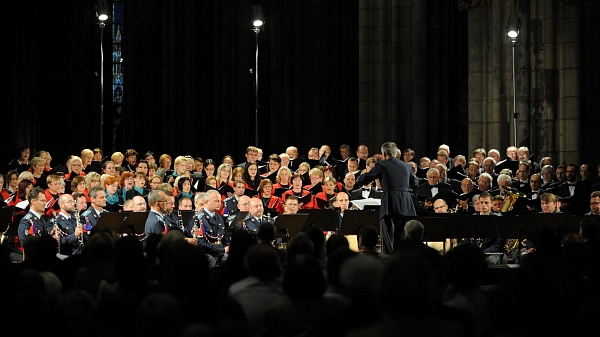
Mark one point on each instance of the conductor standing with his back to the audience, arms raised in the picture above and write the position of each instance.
(396, 202)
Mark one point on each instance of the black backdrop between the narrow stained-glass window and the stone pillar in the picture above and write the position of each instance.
(188, 89)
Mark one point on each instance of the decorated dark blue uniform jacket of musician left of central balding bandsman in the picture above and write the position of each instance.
(213, 240)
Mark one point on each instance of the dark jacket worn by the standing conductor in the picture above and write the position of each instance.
(395, 176)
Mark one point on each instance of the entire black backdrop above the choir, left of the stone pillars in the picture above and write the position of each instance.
(187, 86)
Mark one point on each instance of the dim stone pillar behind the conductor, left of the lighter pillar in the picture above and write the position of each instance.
(392, 73)
